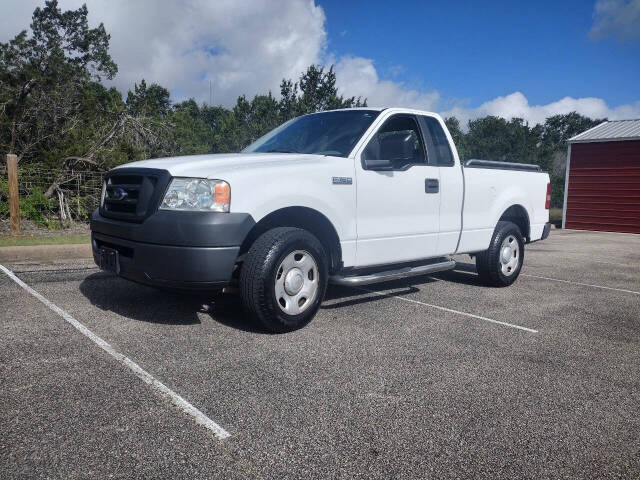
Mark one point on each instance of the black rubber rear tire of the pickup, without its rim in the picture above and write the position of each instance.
(488, 263)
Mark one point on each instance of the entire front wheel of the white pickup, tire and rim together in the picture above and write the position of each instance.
(284, 278)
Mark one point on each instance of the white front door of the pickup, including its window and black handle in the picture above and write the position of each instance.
(398, 204)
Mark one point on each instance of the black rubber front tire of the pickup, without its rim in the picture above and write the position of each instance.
(258, 277)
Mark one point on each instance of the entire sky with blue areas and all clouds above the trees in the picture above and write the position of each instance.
(469, 59)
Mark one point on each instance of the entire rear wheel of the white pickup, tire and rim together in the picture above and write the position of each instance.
(500, 264)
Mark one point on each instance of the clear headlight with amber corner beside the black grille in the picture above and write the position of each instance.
(197, 194)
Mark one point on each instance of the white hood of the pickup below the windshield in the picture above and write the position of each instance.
(223, 166)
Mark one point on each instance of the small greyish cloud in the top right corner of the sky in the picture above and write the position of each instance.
(618, 18)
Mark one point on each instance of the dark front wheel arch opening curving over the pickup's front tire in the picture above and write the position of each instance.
(300, 217)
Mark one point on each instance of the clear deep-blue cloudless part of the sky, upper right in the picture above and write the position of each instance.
(480, 50)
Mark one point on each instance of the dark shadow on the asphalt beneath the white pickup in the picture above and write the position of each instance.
(140, 302)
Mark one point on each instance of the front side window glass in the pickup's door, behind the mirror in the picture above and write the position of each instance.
(397, 140)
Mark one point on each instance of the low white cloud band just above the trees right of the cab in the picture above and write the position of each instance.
(516, 105)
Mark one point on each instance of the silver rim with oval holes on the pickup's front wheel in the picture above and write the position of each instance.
(296, 282)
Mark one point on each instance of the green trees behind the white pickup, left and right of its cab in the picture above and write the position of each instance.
(56, 112)
